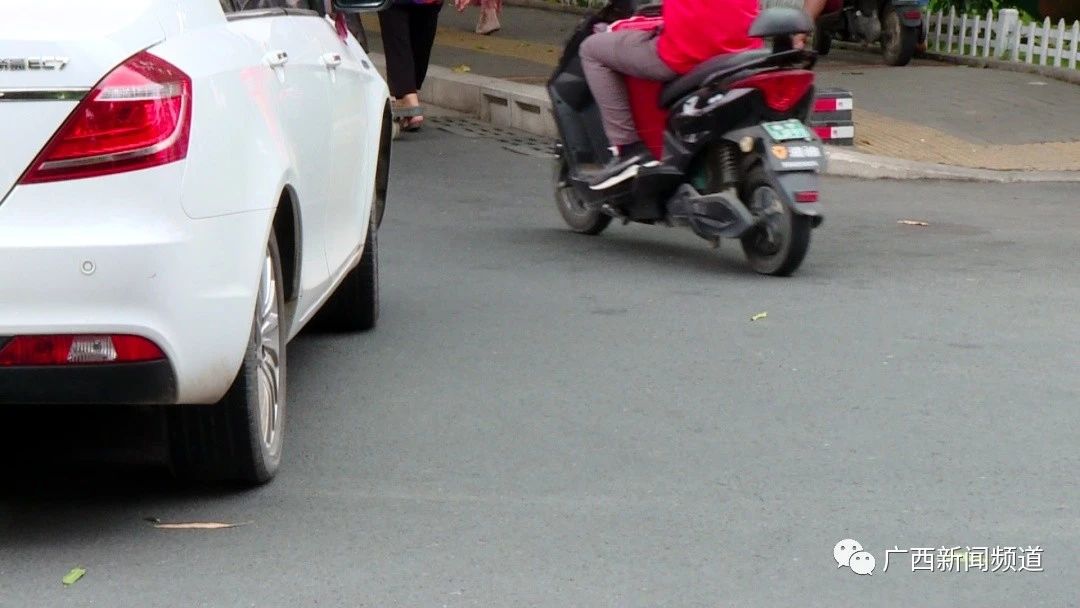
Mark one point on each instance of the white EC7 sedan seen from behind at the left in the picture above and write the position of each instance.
(184, 186)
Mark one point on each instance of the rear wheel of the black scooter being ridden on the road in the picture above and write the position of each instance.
(779, 245)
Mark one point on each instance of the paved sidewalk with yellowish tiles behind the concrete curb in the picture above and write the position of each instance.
(928, 112)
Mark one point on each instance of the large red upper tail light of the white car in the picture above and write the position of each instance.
(138, 117)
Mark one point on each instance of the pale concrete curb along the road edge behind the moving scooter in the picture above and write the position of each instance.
(526, 107)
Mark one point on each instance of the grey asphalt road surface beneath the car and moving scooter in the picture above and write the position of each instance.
(547, 420)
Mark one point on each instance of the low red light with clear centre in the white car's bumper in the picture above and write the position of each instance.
(76, 350)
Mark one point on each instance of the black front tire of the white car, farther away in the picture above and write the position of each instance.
(355, 306)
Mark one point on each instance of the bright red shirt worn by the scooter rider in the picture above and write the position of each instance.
(696, 31)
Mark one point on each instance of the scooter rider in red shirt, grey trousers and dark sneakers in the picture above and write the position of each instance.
(694, 32)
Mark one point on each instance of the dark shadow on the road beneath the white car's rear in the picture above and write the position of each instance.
(86, 469)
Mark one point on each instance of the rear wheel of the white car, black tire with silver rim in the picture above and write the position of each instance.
(240, 439)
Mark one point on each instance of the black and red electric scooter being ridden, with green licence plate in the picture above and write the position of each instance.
(736, 159)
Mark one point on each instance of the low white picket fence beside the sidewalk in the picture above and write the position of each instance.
(1006, 38)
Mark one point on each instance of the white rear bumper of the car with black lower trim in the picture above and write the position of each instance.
(118, 255)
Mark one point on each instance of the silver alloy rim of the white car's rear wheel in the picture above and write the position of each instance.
(268, 356)
